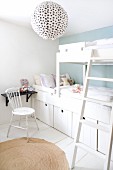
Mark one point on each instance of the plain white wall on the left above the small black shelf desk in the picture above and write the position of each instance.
(22, 54)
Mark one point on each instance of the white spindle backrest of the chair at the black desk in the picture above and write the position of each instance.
(14, 98)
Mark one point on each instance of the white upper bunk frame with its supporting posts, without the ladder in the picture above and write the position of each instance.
(82, 56)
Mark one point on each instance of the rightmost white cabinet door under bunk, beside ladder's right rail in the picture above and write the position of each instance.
(103, 141)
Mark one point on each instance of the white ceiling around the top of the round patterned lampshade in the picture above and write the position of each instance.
(84, 15)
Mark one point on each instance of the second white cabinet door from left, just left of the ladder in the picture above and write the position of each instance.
(62, 120)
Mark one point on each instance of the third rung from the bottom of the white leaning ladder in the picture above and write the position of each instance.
(98, 101)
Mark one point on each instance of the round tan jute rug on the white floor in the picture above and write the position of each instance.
(37, 154)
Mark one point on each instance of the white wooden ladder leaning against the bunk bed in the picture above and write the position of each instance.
(81, 120)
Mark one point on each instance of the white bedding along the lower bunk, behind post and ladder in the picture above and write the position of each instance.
(100, 93)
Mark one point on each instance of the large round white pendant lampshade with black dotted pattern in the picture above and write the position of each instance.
(49, 20)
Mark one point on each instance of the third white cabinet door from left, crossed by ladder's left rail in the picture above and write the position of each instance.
(88, 135)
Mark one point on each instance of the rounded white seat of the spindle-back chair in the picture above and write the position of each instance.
(23, 111)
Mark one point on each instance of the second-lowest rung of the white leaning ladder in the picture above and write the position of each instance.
(94, 125)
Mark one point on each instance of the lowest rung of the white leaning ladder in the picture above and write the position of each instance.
(88, 149)
